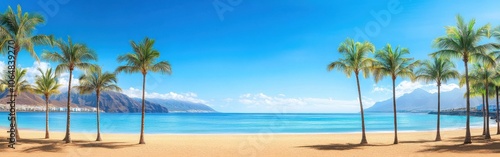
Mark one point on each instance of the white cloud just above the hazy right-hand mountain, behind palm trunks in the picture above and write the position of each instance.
(406, 87)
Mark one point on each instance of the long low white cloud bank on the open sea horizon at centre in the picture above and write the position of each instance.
(267, 103)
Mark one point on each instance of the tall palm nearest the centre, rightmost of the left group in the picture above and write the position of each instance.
(143, 60)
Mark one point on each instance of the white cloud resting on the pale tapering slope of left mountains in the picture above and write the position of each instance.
(191, 97)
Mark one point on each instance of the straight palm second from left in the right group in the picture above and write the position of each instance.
(391, 62)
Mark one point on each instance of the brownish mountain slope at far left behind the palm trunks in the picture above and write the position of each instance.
(26, 98)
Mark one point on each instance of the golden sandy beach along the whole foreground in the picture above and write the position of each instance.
(266, 144)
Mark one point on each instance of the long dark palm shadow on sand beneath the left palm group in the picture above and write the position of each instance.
(52, 145)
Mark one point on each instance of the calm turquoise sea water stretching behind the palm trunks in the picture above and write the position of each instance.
(213, 123)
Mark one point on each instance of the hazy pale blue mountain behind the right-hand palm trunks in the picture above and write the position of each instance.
(421, 101)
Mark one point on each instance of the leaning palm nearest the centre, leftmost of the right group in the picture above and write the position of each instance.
(355, 60)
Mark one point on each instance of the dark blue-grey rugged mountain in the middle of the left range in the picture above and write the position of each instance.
(112, 102)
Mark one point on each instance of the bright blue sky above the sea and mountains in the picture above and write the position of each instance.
(259, 55)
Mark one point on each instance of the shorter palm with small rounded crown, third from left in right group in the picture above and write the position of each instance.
(439, 70)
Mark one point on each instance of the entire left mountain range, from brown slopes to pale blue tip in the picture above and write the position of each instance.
(110, 102)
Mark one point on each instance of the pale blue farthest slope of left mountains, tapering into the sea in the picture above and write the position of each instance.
(181, 106)
